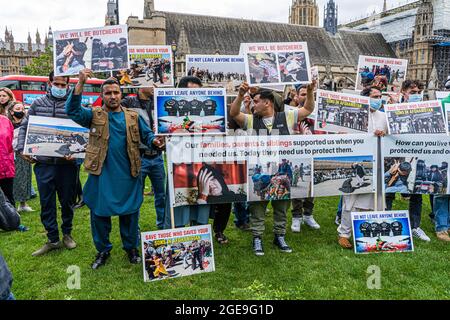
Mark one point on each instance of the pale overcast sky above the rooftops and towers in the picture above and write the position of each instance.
(25, 16)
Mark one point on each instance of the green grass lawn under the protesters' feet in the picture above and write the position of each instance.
(317, 269)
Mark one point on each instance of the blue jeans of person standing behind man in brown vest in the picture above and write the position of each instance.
(154, 169)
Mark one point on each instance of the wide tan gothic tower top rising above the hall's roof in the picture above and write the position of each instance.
(304, 12)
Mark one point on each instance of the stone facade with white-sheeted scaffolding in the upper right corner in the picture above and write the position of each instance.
(418, 31)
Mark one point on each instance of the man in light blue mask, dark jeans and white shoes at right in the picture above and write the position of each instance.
(412, 91)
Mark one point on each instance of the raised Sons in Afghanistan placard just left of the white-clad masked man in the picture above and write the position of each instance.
(342, 112)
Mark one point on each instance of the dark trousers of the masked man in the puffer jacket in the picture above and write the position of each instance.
(55, 180)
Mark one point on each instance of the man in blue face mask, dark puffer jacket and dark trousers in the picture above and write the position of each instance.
(54, 176)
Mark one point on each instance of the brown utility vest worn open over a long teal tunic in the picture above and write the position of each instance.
(97, 148)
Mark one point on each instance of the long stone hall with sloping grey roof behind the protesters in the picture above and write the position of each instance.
(335, 55)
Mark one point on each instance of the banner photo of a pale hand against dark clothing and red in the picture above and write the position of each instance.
(209, 183)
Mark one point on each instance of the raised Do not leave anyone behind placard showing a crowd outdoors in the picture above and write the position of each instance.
(217, 71)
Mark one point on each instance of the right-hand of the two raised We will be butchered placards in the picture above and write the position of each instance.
(277, 63)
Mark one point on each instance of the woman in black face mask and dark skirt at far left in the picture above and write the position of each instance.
(22, 181)
